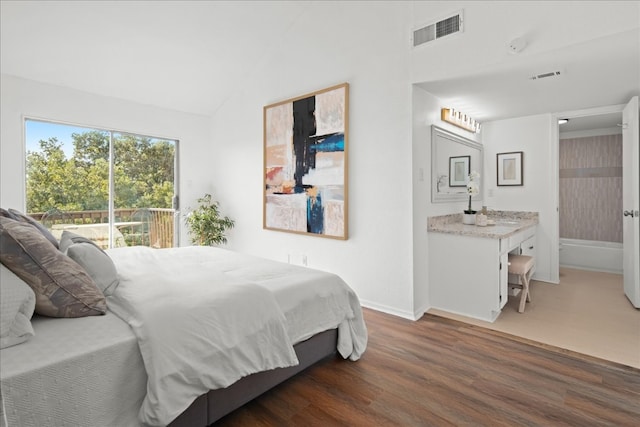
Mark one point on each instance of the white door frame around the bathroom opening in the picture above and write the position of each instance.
(555, 160)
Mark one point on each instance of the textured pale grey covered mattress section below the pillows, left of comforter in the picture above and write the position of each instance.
(56, 378)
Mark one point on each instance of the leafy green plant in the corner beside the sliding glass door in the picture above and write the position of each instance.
(206, 224)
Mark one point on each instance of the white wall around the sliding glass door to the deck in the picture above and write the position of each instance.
(25, 98)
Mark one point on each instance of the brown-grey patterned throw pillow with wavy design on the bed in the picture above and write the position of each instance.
(62, 287)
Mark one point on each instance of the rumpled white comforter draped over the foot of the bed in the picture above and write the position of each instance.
(206, 317)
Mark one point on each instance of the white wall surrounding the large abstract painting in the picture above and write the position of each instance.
(376, 260)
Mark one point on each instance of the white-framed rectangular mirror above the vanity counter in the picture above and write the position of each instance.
(452, 158)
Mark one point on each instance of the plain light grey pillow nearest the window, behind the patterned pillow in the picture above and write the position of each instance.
(93, 259)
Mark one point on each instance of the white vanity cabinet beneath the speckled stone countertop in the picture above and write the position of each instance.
(468, 273)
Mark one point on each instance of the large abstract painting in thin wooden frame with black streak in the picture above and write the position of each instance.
(305, 164)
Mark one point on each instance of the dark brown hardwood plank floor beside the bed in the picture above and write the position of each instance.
(439, 372)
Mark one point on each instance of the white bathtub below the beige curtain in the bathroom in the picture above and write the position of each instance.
(591, 255)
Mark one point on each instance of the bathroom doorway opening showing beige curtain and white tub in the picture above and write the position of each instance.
(590, 193)
